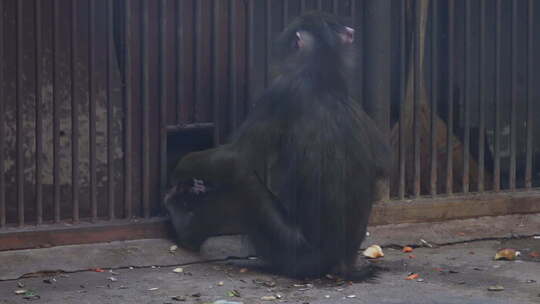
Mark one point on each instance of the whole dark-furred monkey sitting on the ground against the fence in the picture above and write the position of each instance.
(298, 177)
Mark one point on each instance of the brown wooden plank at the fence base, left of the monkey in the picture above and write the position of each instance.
(85, 233)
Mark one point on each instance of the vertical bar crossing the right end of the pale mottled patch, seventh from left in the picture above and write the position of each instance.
(110, 71)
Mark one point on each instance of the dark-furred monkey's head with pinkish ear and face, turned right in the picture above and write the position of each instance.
(316, 34)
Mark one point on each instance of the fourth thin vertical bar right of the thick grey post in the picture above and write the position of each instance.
(450, 124)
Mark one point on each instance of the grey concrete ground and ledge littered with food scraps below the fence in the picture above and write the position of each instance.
(458, 268)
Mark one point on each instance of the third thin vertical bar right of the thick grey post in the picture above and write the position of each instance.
(434, 95)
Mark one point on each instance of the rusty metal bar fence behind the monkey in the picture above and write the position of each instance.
(99, 97)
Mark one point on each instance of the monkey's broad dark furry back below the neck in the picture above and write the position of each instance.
(325, 170)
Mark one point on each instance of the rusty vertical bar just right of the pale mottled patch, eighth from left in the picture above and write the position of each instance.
(128, 121)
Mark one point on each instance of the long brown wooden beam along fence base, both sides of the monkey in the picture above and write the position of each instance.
(394, 212)
